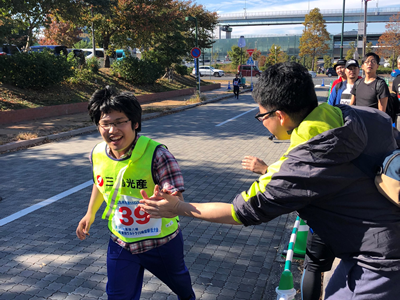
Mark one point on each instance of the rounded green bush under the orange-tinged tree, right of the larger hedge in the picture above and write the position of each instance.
(138, 71)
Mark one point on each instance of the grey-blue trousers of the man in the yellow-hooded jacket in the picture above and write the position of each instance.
(350, 281)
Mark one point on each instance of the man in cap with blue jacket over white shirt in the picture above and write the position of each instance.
(341, 94)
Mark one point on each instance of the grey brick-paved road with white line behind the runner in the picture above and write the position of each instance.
(46, 189)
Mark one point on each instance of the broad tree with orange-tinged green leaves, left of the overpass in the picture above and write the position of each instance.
(157, 25)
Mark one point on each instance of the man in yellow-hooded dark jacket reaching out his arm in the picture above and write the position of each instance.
(326, 175)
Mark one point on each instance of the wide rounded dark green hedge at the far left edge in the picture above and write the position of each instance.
(35, 70)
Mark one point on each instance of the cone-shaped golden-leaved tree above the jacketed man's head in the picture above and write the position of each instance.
(313, 41)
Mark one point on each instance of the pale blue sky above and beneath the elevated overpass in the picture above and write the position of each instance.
(238, 6)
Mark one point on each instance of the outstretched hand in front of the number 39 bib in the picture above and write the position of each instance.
(160, 204)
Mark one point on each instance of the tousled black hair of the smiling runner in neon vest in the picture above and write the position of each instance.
(108, 99)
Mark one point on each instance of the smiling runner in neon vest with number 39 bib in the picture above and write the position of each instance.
(123, 165)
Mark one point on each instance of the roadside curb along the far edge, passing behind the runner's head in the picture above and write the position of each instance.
(40, 140)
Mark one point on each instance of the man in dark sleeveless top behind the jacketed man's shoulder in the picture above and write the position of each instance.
(371, 91)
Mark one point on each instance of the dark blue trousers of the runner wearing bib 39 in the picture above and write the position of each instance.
(125, 270)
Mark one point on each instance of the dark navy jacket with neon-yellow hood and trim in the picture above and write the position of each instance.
(326, 175)
